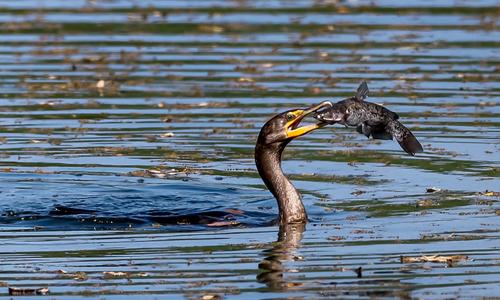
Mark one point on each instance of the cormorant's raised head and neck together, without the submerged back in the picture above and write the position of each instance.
(272, 140)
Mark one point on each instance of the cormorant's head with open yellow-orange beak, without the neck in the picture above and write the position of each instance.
(284, 127)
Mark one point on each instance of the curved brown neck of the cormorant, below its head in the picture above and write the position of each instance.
(291, 209)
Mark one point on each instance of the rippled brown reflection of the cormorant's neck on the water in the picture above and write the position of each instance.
(272, 268)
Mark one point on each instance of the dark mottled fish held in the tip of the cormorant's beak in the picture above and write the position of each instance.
(370, 119)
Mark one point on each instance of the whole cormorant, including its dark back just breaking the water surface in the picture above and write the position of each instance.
(273, 138)
